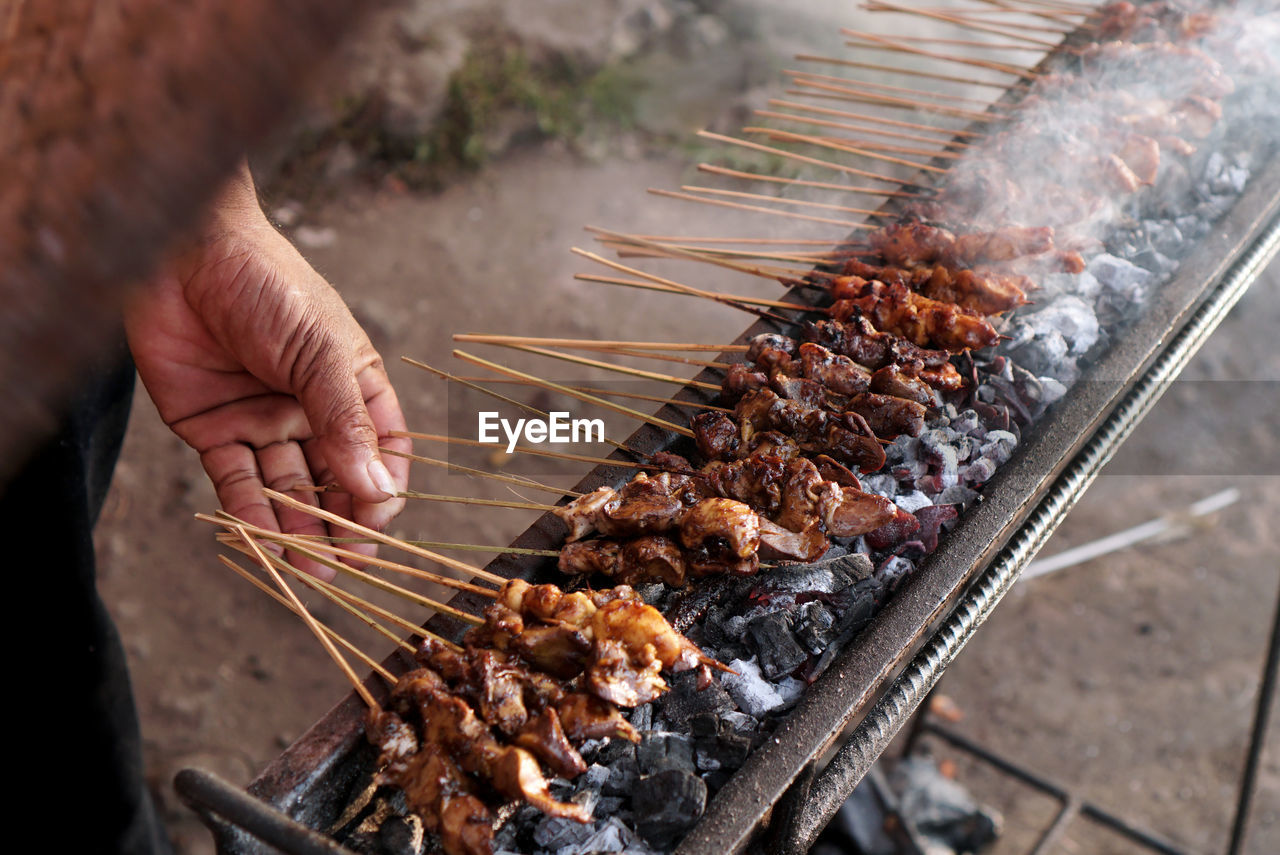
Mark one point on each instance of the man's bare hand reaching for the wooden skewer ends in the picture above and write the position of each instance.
(257, 363)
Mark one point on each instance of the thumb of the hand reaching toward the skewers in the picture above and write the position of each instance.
(336, 410)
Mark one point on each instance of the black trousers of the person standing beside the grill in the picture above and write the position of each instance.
(76, 712)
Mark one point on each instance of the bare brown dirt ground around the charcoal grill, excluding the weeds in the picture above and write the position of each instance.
(1131, 678)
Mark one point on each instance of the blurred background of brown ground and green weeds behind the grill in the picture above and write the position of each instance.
(438, 180)
